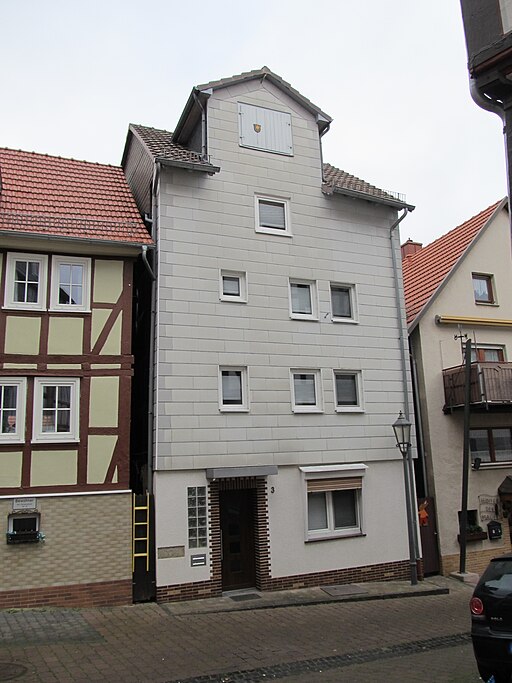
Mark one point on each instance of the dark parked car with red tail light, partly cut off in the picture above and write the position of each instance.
(491, 620)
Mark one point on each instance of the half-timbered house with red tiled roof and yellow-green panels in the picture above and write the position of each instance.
(69, 231)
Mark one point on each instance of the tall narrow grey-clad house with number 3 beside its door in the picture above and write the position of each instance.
(279, 352)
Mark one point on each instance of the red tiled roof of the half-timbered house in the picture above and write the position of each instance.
(52, 196)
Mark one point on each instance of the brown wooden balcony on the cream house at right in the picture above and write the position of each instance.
(491, 387)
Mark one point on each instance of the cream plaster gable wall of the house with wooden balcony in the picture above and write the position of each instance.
(444, 433)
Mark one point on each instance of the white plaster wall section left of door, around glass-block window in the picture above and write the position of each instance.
(171, 528)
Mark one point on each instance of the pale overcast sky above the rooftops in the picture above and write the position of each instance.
(392, 75)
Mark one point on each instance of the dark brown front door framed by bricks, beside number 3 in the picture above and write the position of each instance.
(237, 529)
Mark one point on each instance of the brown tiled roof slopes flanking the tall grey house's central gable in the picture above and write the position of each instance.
(161, 145)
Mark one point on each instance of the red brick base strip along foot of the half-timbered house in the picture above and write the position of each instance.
(104, 594)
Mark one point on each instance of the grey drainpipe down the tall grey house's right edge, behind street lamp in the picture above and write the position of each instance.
(402, 336)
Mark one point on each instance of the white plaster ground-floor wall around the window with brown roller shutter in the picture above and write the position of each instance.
(383, 523)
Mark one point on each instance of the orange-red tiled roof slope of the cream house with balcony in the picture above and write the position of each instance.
(425, 270)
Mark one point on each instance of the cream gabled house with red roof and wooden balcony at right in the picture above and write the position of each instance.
(460, 285)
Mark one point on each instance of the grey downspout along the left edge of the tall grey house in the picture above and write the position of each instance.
(152, 324)
